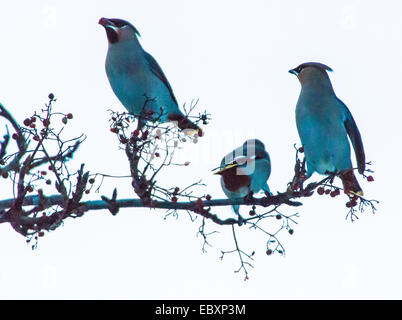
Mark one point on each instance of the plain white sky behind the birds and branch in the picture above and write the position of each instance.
(233, 56)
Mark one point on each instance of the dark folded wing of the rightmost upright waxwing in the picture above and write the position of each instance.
(354, 135)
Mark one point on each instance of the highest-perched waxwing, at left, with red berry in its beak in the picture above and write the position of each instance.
(137, 79)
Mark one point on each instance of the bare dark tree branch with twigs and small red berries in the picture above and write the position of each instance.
(149, 147)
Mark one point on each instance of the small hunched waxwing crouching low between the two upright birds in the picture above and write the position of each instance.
(245, 170)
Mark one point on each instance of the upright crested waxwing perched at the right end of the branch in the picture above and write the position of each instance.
(324, 123)
